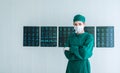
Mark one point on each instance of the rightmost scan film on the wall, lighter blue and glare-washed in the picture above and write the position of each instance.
(105, 36)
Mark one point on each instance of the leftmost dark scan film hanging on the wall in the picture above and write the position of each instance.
(30, 36)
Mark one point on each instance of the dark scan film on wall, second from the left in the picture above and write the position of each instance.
(48, 36)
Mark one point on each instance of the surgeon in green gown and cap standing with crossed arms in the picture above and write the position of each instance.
(78, 48)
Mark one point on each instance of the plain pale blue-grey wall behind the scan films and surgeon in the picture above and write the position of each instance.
(14, 14)
